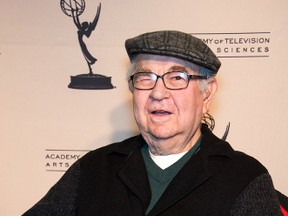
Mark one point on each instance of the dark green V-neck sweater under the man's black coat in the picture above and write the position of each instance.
(160, 179)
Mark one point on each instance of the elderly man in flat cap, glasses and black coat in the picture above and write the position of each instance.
(176, 166)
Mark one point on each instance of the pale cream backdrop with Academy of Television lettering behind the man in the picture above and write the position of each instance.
(45, 126)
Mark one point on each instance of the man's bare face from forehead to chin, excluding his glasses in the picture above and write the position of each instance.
(169, 120)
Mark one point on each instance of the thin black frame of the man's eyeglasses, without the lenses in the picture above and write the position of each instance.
(189, 77)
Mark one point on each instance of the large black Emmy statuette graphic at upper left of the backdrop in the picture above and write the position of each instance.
(74, 8)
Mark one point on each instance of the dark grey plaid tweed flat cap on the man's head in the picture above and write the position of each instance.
(174, 43)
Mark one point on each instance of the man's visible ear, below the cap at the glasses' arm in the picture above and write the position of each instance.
(212, 87)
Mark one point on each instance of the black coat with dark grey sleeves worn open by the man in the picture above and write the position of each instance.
(112, 181)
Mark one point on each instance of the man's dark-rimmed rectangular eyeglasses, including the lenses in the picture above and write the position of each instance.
(173, 80)
